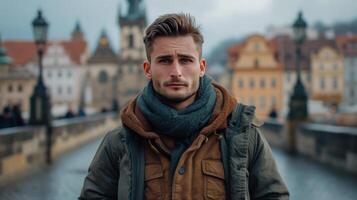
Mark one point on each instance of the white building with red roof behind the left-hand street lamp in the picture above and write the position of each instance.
(63, 67)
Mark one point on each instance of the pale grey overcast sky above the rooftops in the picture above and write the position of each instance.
(219, 19)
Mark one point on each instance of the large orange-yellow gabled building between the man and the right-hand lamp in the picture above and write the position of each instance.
(257, 75)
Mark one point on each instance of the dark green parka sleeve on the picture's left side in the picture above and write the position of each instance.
(101, 181)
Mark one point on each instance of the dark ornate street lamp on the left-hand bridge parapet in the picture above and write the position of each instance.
(40, 101)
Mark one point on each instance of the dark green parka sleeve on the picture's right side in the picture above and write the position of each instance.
(265, 181)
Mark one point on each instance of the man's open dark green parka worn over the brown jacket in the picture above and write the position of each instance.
(117, 170)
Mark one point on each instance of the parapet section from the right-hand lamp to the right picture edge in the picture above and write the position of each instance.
(335, 145)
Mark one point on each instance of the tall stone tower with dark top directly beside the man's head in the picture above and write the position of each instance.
(132, 51)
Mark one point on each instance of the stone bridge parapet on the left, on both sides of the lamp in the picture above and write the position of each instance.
(23, 149)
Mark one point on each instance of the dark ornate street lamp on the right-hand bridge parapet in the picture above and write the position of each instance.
(298, 100)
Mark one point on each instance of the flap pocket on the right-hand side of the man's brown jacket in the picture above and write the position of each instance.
(213, 174)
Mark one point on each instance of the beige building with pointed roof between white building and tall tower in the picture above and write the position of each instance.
(101, 76)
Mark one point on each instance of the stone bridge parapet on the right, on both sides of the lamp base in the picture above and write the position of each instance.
(333, 145)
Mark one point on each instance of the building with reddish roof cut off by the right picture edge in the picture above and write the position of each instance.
(347, 44)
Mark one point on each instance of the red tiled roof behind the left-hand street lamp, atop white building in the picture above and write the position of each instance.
(23, 52)
